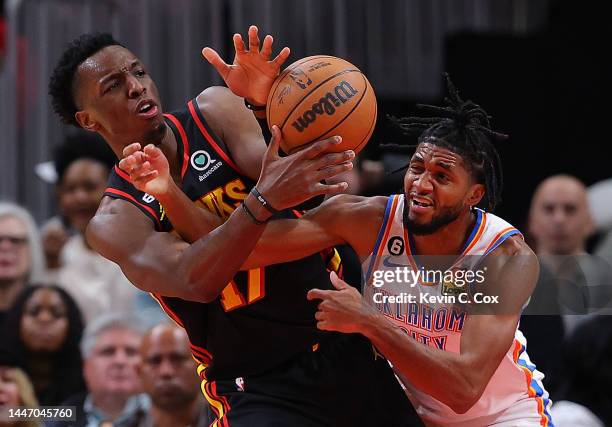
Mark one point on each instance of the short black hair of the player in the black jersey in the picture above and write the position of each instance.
(61, 84)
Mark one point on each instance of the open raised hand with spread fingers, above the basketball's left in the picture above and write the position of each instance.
(252, 73)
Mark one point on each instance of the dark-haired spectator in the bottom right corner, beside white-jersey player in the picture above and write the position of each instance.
(585, 392)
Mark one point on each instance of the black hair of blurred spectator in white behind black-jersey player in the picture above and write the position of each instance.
(82, 145)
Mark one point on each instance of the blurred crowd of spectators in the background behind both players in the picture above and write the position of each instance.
(76, 332)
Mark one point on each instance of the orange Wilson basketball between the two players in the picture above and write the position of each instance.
(321, 96)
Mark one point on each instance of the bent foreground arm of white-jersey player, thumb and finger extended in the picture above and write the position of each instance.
(512, 272)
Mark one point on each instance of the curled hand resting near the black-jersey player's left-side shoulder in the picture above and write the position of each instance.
(148, 169)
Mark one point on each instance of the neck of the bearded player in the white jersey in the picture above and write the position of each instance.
(448, 240)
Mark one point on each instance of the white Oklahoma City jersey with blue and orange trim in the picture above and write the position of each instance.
(515, 395)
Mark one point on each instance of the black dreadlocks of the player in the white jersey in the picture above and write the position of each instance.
(464, 128)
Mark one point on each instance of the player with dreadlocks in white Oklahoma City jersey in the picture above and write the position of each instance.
(462, 363)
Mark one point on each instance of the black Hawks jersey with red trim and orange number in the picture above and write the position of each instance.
(262, 317)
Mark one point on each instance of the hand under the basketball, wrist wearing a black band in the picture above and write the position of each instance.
(288, 181)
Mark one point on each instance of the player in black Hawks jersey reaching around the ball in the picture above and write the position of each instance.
(262, 361)
